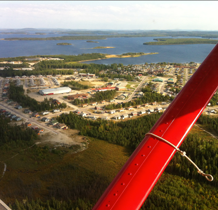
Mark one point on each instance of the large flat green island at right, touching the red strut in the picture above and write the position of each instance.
(170, 41)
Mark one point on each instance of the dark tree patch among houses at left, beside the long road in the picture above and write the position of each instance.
(17, 94)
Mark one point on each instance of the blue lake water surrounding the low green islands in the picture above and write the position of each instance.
(166, 53)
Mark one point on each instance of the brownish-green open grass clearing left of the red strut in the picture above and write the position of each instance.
(39, 172)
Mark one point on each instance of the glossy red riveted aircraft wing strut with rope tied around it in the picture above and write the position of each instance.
(138, 176)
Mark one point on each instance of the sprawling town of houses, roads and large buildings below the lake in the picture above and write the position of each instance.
(164, 79)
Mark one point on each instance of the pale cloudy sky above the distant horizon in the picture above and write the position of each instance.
(112, 15)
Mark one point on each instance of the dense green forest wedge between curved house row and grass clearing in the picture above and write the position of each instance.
(128, 133)
